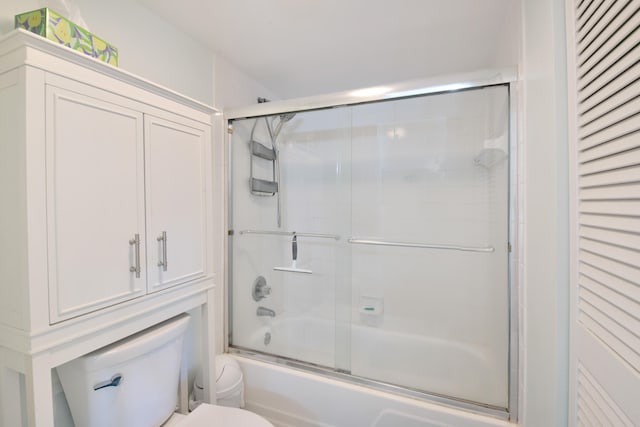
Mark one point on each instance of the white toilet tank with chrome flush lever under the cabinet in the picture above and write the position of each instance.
(132, 382)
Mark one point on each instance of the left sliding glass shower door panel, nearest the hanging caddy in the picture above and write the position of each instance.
(296, 319)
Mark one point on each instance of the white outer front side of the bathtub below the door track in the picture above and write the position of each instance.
(292, 398)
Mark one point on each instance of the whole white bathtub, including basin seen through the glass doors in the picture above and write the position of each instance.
(291, 397)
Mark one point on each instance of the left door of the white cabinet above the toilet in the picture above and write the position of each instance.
(95, 202)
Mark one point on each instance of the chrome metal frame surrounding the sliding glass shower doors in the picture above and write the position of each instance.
(506, 77)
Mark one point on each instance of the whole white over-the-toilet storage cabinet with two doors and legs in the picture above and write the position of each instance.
(107, 219)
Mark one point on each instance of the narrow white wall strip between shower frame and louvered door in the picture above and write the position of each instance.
(544, 344)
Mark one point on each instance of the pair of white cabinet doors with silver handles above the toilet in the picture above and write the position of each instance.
(111, 170)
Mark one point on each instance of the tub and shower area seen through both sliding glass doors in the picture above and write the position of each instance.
(370, 242)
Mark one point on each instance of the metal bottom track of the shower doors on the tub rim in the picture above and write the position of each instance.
(347, 377)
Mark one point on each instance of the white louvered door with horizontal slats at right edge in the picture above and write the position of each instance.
(604, 82)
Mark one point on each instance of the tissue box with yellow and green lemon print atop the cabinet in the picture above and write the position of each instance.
(55, 27)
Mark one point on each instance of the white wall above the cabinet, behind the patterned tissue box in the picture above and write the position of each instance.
(147, 45)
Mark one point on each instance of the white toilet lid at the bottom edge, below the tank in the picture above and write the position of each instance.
(221, 416)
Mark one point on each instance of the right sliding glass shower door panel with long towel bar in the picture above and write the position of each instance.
(429, 245)
